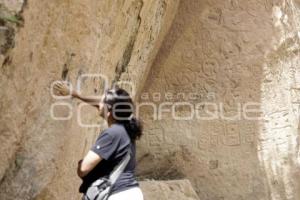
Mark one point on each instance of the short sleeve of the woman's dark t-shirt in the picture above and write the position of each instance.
(105, 145)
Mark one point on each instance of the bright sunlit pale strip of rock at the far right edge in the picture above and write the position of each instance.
(279, 135)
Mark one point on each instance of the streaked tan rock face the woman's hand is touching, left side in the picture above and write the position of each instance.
(65, 40)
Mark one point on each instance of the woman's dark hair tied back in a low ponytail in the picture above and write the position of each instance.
(121, 106)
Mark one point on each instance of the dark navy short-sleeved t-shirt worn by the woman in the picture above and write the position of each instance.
(112, 146)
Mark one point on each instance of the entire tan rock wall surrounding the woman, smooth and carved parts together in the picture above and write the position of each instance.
(212, 59)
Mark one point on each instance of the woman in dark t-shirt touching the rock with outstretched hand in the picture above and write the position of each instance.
(116, 107)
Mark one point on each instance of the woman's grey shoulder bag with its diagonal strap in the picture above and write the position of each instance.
(101, 188)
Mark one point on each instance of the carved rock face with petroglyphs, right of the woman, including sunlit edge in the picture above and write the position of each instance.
(219, 57)
